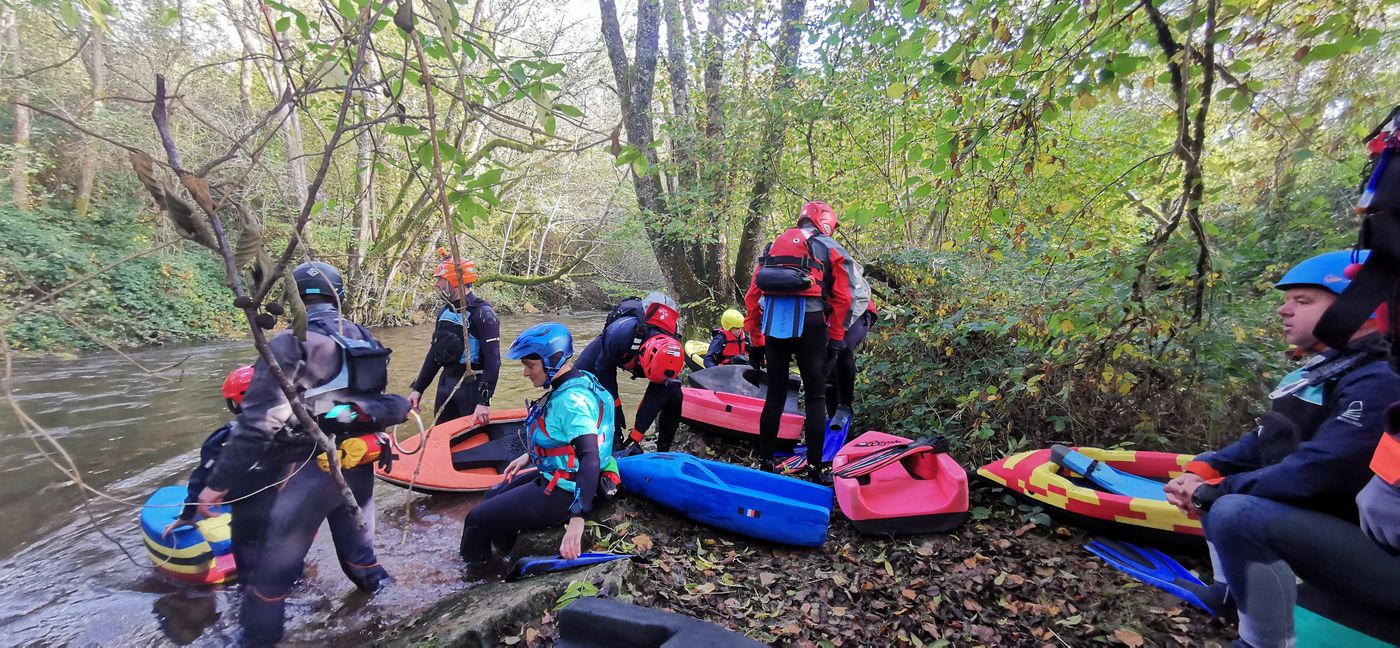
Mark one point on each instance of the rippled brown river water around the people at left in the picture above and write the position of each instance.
(129, 432)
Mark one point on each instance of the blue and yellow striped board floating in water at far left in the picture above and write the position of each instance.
(201, 554)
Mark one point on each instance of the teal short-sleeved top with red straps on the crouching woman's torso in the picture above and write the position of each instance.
(580, 407)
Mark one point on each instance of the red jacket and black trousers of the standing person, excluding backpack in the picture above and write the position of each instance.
(824, 320)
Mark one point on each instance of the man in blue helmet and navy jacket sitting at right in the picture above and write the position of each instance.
(1311, 451)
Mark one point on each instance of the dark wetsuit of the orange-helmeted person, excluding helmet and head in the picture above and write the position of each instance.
(451, 353)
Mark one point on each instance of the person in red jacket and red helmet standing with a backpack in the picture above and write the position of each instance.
(799, 303)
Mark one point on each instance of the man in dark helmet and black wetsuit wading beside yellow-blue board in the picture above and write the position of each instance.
(269, 468)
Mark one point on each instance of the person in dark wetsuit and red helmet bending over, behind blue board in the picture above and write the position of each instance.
(619, 348)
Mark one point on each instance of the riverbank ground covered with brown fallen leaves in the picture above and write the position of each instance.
(1000, 580)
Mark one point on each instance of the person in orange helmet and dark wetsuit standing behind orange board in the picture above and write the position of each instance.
(475, 359)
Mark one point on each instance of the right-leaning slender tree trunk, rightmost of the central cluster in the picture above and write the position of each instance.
(775, 132)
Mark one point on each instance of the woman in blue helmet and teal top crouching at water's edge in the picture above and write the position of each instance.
(569, 451)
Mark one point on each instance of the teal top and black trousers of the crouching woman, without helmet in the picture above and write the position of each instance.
(570, 444)
